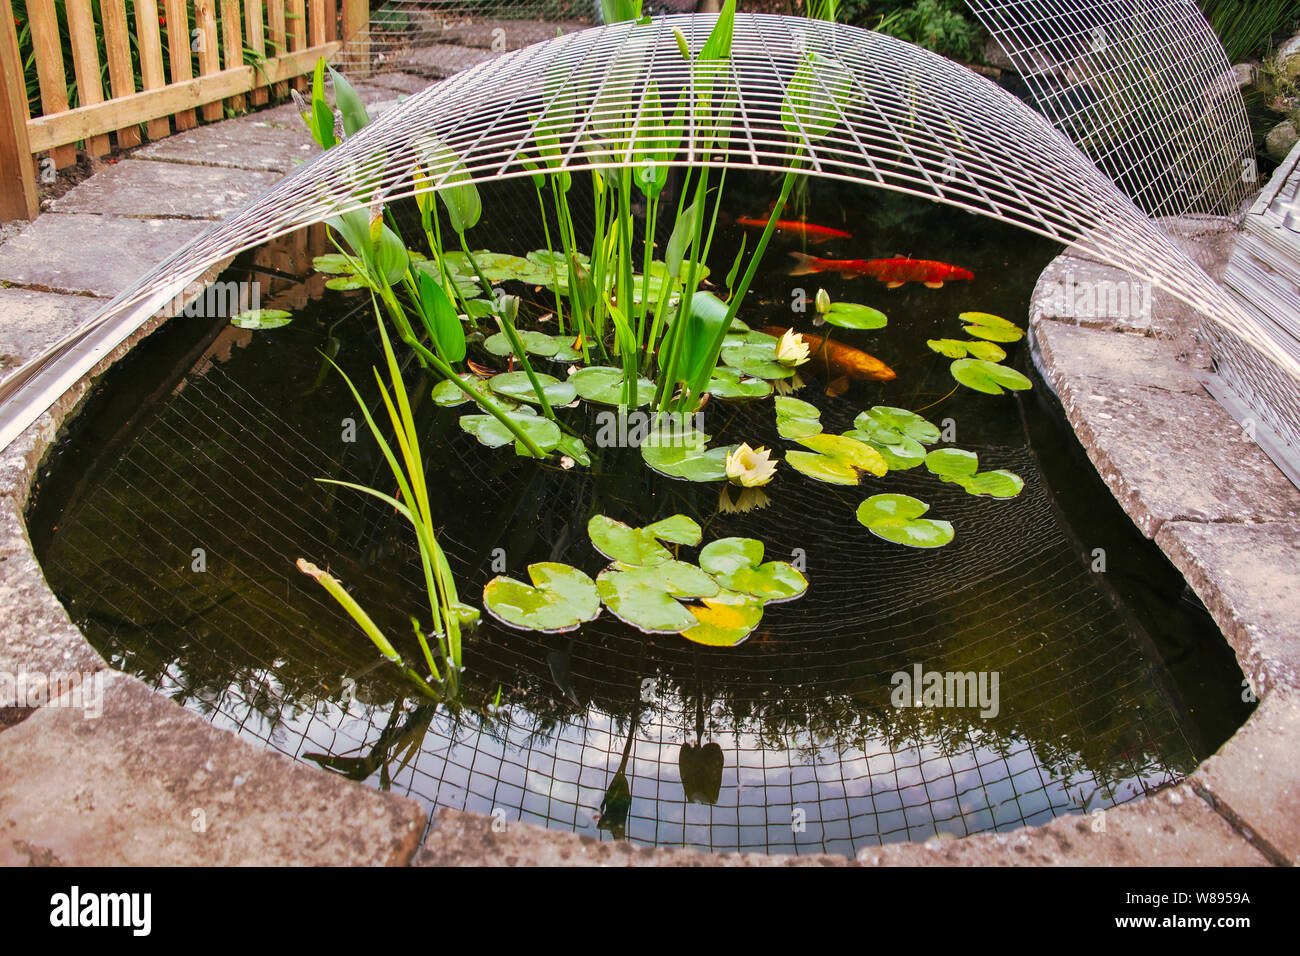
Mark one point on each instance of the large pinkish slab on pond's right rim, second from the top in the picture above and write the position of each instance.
(1168, 452)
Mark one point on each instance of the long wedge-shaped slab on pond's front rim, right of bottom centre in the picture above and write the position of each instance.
(1175, 828)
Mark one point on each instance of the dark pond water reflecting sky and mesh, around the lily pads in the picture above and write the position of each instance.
(171, 516)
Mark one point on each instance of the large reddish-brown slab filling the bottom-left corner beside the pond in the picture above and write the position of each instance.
(150, 784)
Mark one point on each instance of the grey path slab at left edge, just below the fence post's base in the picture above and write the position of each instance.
(97, 256)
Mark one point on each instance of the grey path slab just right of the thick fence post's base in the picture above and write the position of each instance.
(142, 189)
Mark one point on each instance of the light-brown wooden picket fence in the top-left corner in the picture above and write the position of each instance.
(239, 53)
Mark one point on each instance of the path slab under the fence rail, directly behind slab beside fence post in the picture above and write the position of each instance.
(249, 142)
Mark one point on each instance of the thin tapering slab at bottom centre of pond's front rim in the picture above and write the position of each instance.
(471, 840)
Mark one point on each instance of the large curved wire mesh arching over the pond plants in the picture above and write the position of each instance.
(850, 105)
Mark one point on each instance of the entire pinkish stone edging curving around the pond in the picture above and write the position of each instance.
(148, 782)
